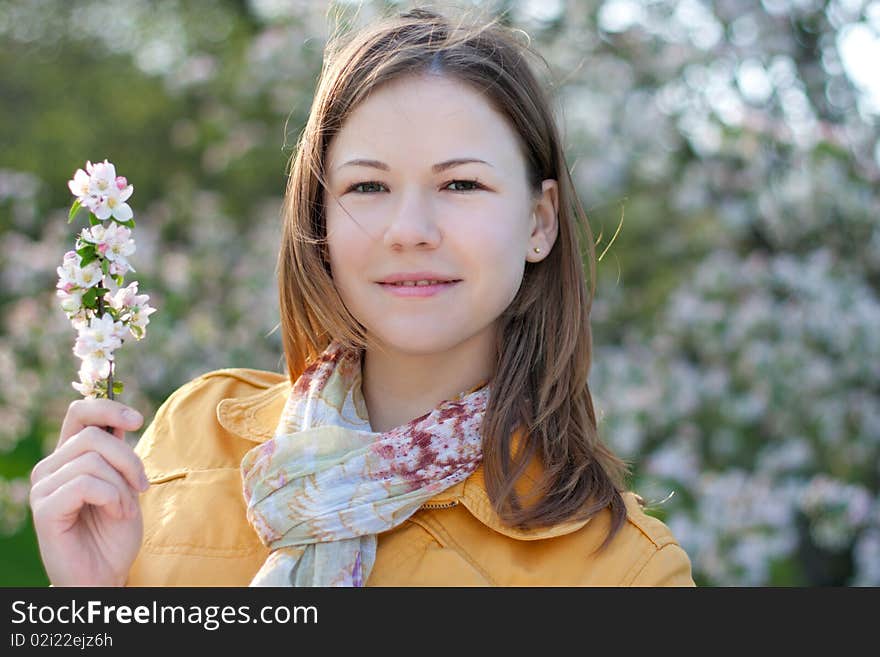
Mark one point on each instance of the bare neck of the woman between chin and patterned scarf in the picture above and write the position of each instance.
(399, 387)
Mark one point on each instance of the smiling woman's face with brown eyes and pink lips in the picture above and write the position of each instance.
(411, 205)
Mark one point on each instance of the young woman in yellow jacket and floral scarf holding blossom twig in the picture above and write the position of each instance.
(435, 424)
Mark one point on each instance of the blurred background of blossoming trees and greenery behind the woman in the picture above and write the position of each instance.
(729, 148)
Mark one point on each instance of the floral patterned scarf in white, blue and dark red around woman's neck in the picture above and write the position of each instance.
(325, 485)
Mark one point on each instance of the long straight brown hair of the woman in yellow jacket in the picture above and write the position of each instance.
(544, 345)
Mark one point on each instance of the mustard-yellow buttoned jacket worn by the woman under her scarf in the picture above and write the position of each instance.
(196, 532)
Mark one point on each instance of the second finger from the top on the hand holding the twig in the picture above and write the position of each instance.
(115, 452)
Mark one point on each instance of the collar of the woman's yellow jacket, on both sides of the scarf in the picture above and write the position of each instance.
(255, 418)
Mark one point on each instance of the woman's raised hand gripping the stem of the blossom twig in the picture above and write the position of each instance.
(85, 497)
